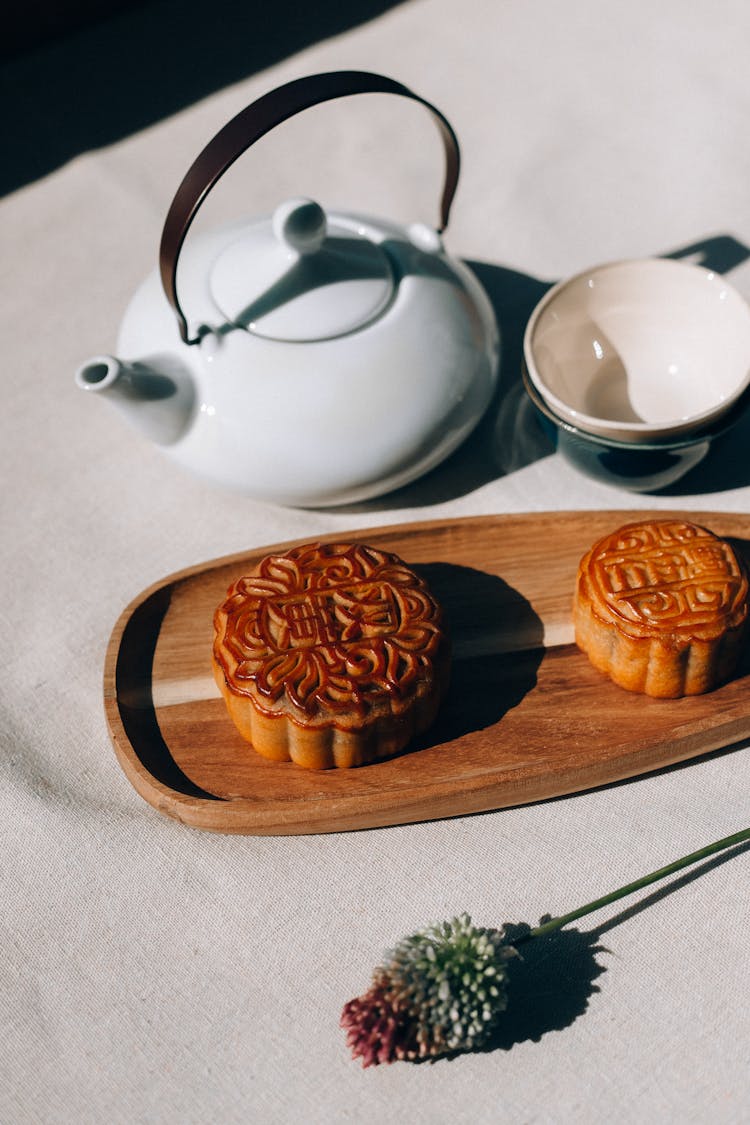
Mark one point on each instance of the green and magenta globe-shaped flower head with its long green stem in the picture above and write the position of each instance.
(444, 989)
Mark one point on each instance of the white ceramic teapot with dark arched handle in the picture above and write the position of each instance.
(312, 359)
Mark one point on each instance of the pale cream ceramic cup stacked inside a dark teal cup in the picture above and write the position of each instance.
(640, 352)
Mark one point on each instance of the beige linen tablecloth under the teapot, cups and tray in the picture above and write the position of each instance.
(155, 974)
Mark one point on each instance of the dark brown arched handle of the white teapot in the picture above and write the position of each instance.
(254, 123)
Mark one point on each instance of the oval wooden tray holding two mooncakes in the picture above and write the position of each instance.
(527, 717)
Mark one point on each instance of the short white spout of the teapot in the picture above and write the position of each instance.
(156, 397)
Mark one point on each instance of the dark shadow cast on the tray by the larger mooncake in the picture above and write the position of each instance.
(498, 647)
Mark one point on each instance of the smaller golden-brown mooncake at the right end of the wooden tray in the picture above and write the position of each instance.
(662, 608)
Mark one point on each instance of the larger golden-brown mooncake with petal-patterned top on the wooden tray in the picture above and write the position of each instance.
(331, 655)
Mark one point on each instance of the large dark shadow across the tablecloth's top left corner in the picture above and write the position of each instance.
(114, 77)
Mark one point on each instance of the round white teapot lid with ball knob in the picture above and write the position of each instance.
(302, 277)
